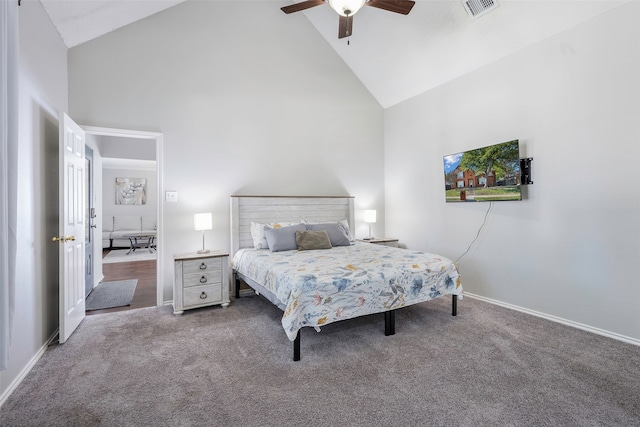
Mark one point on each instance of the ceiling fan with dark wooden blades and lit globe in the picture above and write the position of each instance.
(347, 8)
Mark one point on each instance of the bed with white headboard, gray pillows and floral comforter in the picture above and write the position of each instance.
(314, 288)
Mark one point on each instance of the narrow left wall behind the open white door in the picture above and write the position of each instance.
(42, 96)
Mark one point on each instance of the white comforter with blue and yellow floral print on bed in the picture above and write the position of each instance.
(323, 286)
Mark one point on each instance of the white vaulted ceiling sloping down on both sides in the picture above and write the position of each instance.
(395, 56)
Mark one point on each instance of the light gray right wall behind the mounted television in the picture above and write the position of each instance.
(571, 248)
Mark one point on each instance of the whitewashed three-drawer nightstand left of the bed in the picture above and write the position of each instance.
(200, 280)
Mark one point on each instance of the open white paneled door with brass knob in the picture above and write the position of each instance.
(71, 237)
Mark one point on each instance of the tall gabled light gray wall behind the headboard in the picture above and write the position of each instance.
(249, 102)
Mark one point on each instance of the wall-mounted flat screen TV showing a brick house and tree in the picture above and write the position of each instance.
(485, 174)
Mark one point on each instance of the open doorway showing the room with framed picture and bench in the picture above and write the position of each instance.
(136, 156)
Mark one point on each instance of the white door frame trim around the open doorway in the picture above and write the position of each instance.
(158, 138)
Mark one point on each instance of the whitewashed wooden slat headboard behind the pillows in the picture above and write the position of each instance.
(268, 209)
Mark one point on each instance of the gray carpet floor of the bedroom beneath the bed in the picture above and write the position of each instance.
(489, 366)
